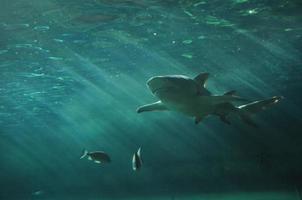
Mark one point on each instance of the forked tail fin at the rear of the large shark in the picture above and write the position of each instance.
(247, 110)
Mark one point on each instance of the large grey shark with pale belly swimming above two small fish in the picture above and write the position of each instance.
(190, 97)
